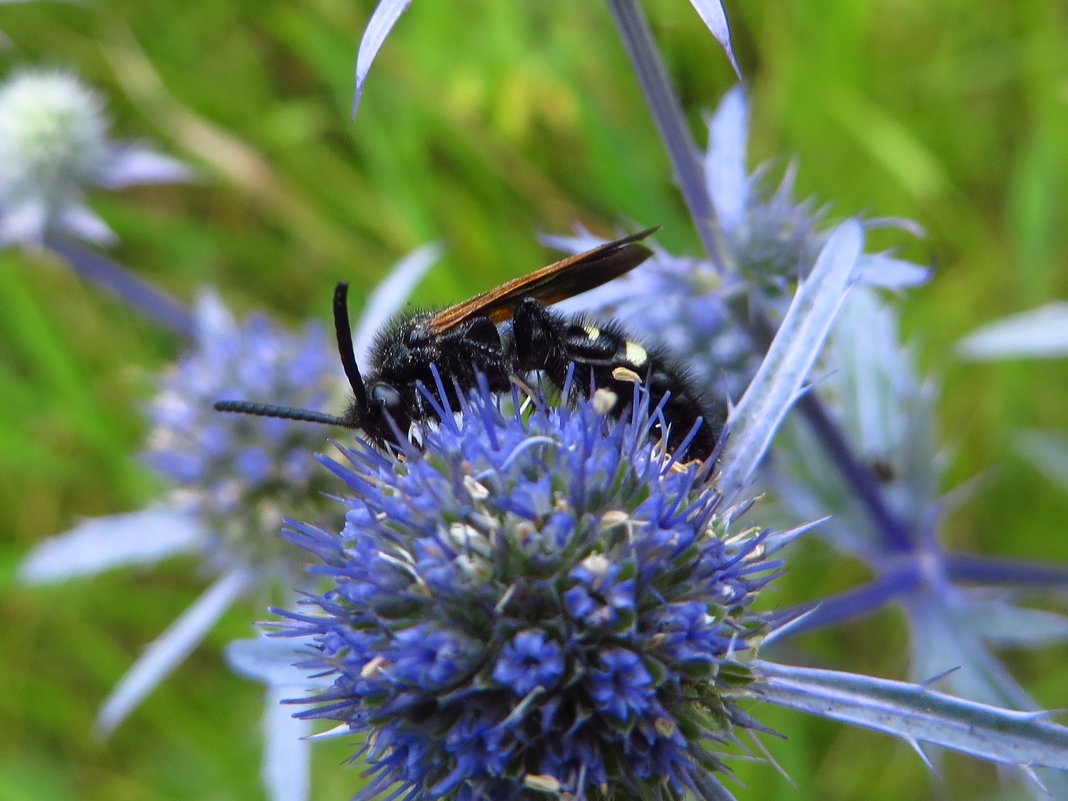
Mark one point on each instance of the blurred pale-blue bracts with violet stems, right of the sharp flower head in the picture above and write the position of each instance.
(955, 604)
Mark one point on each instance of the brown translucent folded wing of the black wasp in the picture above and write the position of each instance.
(552, 285)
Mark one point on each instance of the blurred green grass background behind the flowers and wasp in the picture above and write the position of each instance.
(484, 123)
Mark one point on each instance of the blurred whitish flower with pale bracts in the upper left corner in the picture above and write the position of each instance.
(54, 148)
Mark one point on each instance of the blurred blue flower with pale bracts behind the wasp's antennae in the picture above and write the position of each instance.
(230, 480)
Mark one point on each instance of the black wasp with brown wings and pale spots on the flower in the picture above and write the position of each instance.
(464, 341)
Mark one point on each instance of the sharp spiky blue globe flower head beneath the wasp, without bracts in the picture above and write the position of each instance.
(540, 602)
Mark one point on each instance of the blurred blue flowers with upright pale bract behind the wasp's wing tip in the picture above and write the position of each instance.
(769, 243)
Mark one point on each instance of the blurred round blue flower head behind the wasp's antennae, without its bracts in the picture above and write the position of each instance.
(239, 474)
